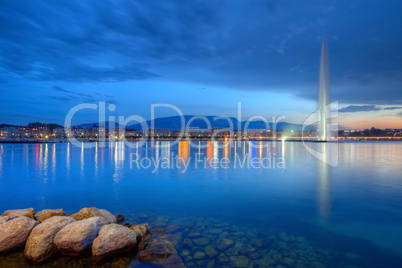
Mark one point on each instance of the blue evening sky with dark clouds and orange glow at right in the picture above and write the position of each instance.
(204, 57)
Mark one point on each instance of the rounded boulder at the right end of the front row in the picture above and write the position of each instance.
(113, 239)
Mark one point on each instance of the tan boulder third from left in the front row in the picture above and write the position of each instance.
(78, 236)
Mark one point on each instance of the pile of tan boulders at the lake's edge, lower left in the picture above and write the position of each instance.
(51, 233)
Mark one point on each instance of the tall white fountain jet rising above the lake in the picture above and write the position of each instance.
(323, 94)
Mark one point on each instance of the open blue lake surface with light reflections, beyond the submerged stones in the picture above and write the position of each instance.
(359, 199)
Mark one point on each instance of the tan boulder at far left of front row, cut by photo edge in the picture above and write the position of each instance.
(14, 233)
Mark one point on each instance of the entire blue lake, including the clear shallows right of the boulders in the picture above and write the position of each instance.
(281, 206)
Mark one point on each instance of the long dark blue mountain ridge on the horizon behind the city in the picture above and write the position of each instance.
(174, 123)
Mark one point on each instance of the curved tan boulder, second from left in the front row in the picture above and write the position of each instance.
(40, 244)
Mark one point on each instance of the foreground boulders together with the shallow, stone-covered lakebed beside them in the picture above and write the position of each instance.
(161, 240)
